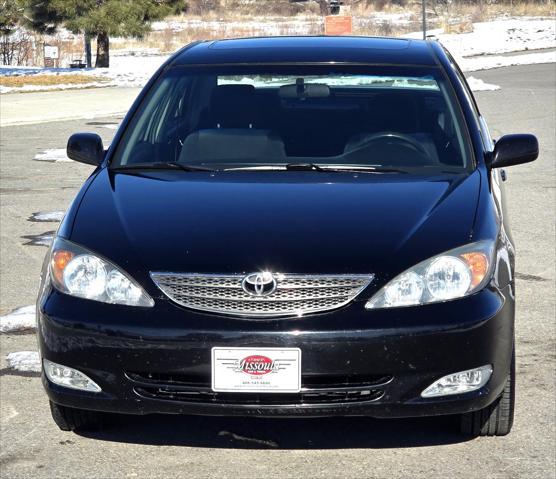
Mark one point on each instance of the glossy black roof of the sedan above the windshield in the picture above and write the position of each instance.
(315, 49)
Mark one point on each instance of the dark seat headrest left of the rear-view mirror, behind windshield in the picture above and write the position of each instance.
(234, 106)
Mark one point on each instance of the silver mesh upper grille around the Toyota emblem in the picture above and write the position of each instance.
(294, 294)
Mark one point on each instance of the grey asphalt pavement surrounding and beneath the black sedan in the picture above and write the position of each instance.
(157, 446)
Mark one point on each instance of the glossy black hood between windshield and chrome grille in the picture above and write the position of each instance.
(295, 222)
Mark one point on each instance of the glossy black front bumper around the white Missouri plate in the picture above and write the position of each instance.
(355, 362)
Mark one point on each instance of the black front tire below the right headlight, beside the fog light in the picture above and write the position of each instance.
(496, 419)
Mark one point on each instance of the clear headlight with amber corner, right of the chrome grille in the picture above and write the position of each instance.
(454, 274)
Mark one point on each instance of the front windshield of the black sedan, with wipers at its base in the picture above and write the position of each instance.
(258, 117)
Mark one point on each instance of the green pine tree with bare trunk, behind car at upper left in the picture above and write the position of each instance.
(100, 18)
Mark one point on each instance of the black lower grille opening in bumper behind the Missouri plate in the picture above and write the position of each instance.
(178, 388)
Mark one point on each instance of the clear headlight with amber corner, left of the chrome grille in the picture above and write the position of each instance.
(77, 271)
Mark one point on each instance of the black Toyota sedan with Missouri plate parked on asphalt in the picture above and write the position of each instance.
(307, 226)
